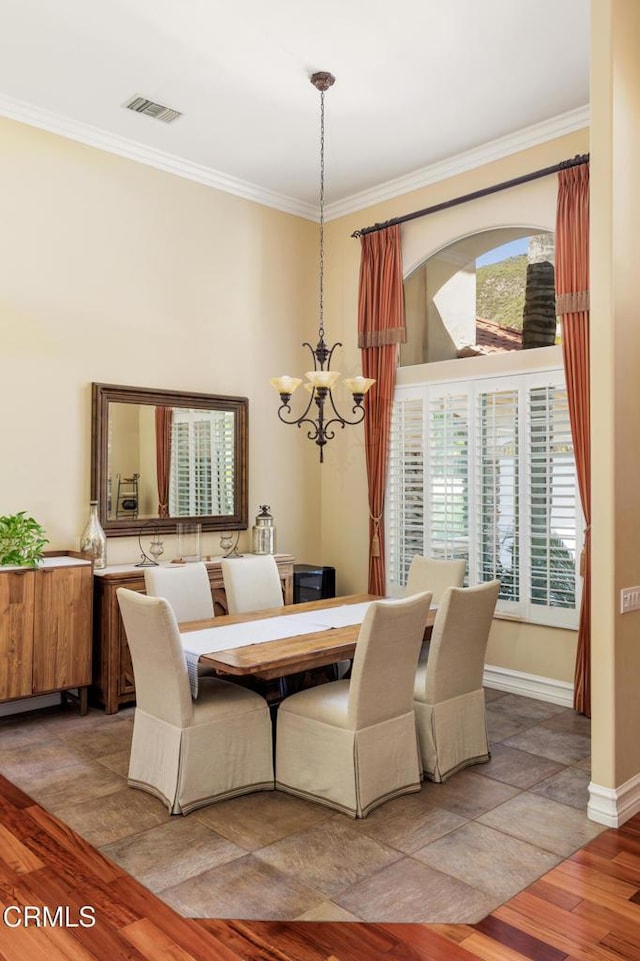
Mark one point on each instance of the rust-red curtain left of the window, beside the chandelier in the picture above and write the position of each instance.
(381, 328)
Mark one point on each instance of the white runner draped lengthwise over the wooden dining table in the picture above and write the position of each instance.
(212, 639)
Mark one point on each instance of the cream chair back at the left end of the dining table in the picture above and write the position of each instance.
(162, 682)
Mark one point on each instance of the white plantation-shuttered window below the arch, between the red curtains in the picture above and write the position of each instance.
(485, 471)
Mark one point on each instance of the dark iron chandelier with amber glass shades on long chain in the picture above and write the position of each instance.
(321, 380)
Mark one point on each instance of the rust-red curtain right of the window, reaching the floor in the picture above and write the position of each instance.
(572, 293)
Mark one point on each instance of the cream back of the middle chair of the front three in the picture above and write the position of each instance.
(385, 661)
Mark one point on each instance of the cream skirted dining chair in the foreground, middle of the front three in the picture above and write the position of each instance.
(352, 745)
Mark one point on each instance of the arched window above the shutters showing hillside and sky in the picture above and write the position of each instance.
(487, 293)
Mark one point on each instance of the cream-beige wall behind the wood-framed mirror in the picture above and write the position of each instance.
(115, 272)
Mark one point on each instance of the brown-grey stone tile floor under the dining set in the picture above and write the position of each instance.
(451, 853)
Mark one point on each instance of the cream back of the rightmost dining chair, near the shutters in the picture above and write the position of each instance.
(459, 642)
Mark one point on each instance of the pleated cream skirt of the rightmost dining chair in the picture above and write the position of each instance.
(452, 734)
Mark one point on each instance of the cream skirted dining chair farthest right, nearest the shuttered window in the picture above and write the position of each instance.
(448, 694)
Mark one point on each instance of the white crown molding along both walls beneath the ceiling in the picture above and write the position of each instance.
(131, 150)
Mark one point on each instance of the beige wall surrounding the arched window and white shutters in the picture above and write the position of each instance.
(533, 650)
